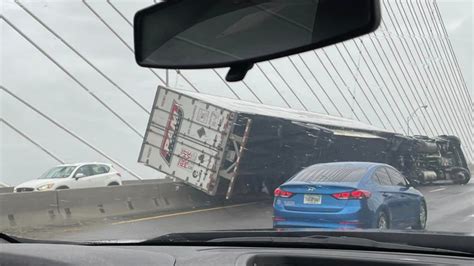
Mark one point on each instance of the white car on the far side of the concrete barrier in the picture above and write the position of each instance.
(80, 175)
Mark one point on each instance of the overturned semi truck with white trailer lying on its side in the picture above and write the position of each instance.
(225, 147)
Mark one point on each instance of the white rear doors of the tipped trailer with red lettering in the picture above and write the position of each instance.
(185, 138)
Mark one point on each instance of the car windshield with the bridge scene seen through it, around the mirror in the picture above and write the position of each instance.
(388, 115)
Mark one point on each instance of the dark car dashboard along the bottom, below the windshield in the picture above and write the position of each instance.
(67, 254)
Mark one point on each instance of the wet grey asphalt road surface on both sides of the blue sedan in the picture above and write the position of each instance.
(450, 209)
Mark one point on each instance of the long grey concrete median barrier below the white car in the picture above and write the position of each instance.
(63, 207)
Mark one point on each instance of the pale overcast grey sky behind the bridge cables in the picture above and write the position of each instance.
(33, 77)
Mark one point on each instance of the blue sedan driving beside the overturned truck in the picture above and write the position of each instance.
(349, 195)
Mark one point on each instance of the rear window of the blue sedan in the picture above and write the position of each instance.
(331, 173)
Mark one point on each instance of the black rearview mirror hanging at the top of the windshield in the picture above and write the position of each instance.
(190, 34)
